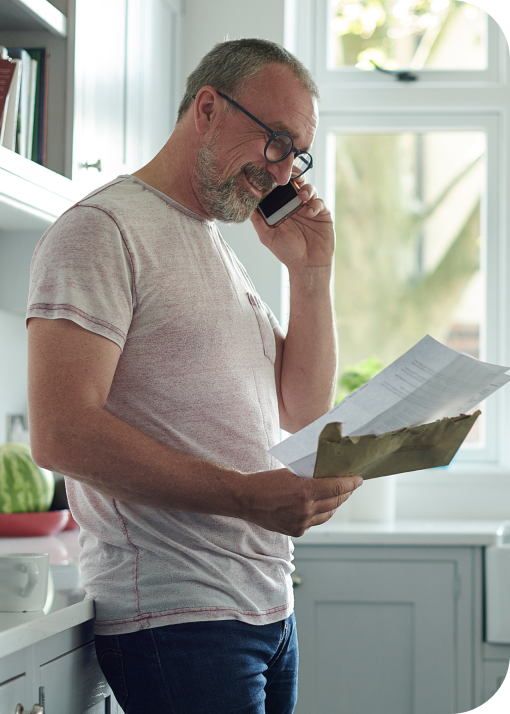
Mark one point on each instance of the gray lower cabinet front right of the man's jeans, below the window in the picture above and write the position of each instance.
(376, 637)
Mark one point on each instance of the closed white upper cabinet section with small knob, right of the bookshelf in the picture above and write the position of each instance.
(126, 85)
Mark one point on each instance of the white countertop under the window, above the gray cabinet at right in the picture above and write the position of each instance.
(403, 533)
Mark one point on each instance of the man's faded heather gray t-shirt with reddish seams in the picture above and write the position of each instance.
(197, 373)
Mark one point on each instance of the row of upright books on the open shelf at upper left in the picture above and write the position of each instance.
(24, 101)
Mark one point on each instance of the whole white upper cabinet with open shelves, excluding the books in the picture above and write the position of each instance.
(112, 95)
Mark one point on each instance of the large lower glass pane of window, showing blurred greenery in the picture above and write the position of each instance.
(407, 218)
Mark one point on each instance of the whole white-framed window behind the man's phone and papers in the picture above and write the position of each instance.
(416, 173)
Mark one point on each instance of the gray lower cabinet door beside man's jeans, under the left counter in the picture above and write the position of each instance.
(74, 683)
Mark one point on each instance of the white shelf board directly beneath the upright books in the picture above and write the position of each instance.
(31, 196)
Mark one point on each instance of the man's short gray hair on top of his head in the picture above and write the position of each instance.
(231, 64)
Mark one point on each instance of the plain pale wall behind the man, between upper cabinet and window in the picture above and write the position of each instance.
(204, 24)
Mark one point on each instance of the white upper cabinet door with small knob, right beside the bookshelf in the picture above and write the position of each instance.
(100, 91)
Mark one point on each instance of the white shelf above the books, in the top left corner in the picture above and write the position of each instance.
(32, 15)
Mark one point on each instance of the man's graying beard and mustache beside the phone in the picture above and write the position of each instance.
(227, 200)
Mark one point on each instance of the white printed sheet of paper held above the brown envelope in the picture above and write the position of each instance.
(430, 381)
